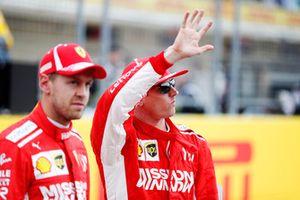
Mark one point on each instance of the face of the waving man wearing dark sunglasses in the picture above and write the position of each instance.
(160, 100)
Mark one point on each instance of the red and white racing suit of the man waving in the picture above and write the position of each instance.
(139, 161)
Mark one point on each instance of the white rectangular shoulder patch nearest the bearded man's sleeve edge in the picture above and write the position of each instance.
(22, 131)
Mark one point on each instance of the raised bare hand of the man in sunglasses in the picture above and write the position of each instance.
(187, 40)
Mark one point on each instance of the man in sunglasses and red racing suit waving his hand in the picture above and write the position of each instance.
(141, 154)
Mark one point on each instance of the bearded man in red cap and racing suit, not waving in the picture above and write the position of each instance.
(41, 156)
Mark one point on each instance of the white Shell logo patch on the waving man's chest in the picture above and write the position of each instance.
(148, 150)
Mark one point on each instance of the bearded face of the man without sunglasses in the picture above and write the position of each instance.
(68, 96)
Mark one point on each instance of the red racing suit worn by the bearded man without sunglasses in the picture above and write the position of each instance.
(41, 161)
